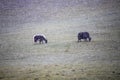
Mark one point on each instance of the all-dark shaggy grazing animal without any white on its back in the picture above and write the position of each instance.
(84, 35)
